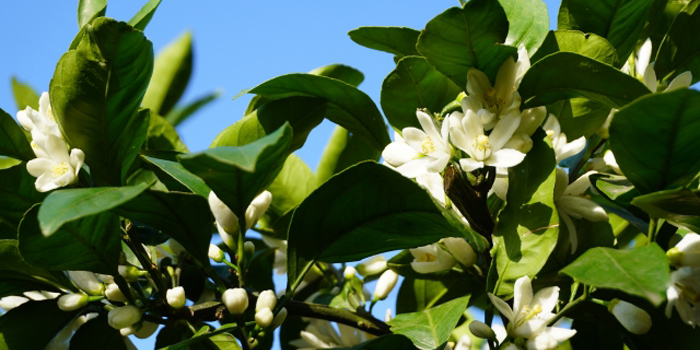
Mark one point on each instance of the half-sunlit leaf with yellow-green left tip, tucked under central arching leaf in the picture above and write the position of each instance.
(302, 113)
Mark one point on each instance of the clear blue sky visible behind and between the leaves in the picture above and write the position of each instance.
(238, 44)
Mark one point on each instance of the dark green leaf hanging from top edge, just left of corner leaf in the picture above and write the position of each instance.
(620, 21)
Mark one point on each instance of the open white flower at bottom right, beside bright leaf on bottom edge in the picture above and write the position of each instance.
(531, 314)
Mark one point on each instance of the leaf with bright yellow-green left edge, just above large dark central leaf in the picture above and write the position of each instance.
(342, 151)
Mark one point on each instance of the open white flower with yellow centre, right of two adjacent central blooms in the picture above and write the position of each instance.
(467, 134)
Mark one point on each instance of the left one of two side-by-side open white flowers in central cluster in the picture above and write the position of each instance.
(419, 151)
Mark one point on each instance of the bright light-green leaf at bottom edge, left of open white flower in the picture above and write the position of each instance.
(428, 329)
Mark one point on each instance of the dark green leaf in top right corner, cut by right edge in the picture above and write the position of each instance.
(680, 50)
